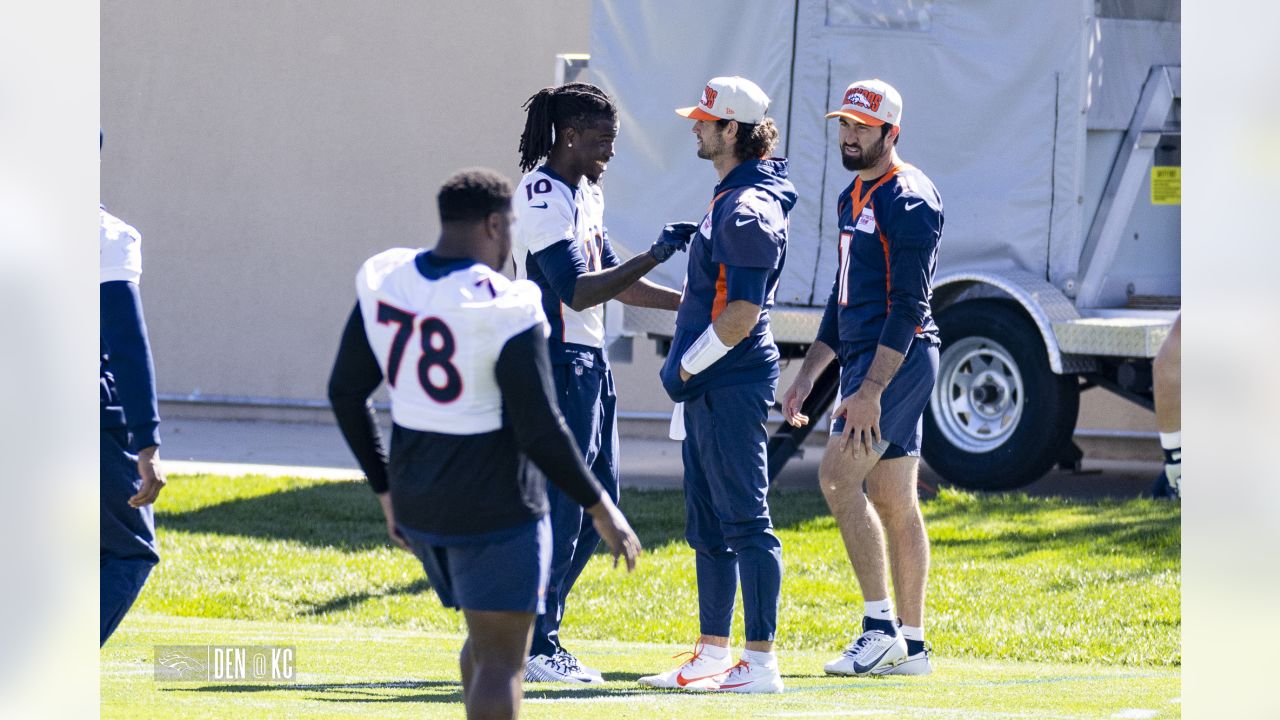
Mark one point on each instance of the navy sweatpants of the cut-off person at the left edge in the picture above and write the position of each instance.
(127, 549)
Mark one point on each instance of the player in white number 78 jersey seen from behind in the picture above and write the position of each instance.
(464, 354)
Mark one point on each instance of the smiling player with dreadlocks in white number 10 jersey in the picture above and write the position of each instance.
(563, 245)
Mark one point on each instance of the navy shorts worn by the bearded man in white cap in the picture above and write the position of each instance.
(902, 404)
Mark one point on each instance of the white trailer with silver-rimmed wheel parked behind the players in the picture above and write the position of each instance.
(1053, 134)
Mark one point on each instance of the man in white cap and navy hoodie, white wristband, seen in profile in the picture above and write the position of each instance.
(724, 372)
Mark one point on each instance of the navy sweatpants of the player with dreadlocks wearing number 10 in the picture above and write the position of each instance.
(589, 404)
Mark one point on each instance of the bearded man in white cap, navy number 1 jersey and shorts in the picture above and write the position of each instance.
(880, 327)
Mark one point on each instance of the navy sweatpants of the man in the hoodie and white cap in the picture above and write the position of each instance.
(728, 514)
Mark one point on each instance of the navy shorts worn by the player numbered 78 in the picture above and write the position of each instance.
(505, 576)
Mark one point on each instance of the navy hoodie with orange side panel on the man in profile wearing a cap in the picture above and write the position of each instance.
(737, 254)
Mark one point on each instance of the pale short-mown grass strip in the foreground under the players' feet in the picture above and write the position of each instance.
(406, 675)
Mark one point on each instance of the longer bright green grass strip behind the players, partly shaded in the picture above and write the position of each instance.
(1013, 578)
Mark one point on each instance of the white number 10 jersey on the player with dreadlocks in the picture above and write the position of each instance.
(550, 212)
